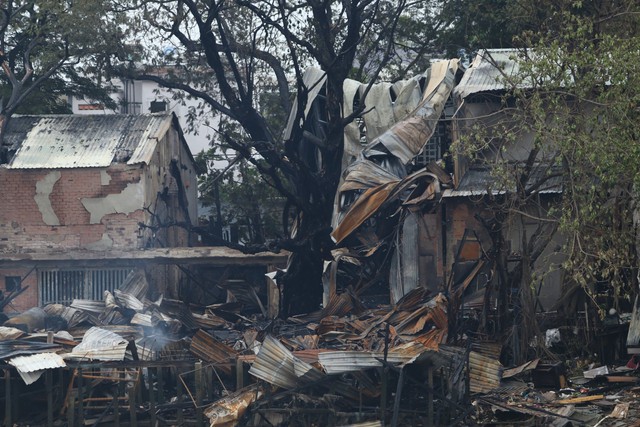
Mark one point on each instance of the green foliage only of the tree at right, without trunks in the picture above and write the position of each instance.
(577, 91)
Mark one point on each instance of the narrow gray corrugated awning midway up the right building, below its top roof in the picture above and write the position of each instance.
(480, 181)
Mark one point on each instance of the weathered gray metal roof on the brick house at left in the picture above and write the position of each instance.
(74, 141)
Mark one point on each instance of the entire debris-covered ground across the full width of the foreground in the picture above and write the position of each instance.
(134, 361)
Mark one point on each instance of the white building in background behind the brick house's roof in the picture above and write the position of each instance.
(143, 97)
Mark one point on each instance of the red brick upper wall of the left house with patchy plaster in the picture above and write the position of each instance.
(23, 227)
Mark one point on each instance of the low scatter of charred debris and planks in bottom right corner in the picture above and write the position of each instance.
(545, 393)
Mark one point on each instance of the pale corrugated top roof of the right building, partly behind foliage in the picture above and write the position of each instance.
(488, 72)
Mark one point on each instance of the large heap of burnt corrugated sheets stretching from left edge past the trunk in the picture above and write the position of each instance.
(338, 366)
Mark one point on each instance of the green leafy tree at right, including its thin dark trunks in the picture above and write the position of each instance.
(576, 93)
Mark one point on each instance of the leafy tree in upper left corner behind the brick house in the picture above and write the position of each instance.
(49, 49)
